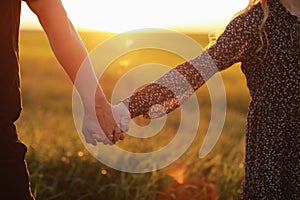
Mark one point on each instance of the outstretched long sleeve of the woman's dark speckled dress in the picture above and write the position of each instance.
(173, 88)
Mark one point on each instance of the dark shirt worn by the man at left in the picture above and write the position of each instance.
(10, 101)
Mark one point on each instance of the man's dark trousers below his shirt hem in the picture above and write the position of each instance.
(14, 178)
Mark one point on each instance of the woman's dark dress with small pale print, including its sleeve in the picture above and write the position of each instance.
(272, 163)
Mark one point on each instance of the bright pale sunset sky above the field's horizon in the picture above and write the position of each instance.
(122, 15)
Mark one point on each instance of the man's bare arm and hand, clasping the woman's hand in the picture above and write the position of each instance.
(70, 52)
